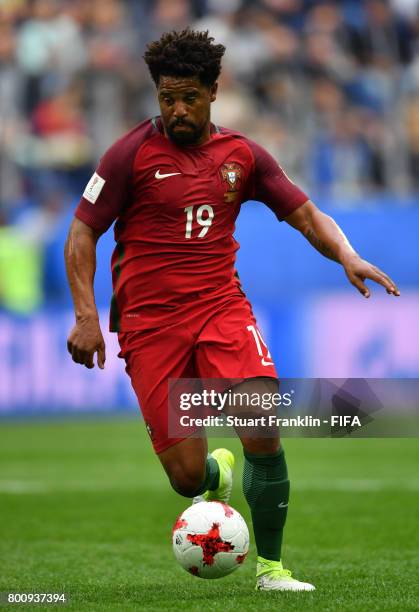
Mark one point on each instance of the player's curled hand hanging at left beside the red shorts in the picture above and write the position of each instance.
(85, 340)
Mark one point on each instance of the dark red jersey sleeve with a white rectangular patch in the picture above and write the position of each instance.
(108, 189)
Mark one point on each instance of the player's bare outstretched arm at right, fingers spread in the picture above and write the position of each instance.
(327, 237)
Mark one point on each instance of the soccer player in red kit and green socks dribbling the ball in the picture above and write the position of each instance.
(174, 185)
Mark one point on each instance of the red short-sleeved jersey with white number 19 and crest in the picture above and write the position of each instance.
(175, 210)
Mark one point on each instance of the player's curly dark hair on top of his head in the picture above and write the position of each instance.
(183, 54)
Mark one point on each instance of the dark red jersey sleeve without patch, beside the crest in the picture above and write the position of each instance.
(272, 186)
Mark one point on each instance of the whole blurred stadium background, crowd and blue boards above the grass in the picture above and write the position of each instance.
(330, 88)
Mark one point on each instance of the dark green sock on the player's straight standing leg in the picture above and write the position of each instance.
(266, 488)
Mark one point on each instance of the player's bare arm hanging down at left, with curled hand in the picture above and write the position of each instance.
(86, 337)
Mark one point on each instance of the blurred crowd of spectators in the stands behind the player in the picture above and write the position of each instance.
(330, 88)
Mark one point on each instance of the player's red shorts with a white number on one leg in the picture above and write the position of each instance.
(210, 340)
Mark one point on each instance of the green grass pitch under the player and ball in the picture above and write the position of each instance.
(85, 508)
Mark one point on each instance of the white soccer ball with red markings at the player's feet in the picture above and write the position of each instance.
(210, 539)
